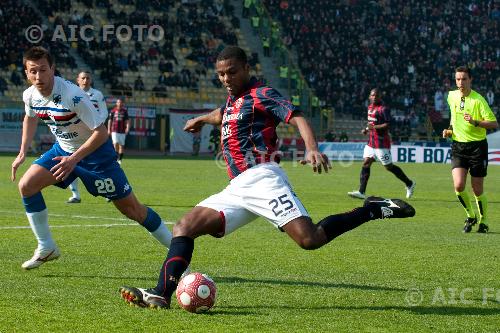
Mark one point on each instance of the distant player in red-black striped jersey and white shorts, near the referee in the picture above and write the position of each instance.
(379, 146)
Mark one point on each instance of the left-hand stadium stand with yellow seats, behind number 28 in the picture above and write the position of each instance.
(175, 69)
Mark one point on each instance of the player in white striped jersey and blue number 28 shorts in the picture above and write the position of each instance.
(82, 149)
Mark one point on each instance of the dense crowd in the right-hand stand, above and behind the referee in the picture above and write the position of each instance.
(408, 48)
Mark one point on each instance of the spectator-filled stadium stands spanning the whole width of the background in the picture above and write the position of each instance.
(332, 52)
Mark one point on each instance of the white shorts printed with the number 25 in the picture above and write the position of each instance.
(262, 190)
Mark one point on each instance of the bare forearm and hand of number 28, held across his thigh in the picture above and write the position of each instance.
(67, 163)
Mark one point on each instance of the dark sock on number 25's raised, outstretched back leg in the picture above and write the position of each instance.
(336, 225)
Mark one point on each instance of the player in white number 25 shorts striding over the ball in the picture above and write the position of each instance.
(258, 187)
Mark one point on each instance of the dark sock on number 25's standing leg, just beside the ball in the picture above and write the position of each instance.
(178, 259)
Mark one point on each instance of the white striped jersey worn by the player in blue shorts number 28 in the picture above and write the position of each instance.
(67, 111)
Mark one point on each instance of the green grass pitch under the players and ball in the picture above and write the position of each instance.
(413, 275)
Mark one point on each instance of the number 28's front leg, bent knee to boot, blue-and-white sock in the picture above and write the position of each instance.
(30, 186)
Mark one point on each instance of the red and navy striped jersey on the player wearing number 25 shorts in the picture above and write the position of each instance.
(248, 131)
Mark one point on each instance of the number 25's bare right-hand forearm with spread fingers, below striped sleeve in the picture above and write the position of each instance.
(318, 160)
